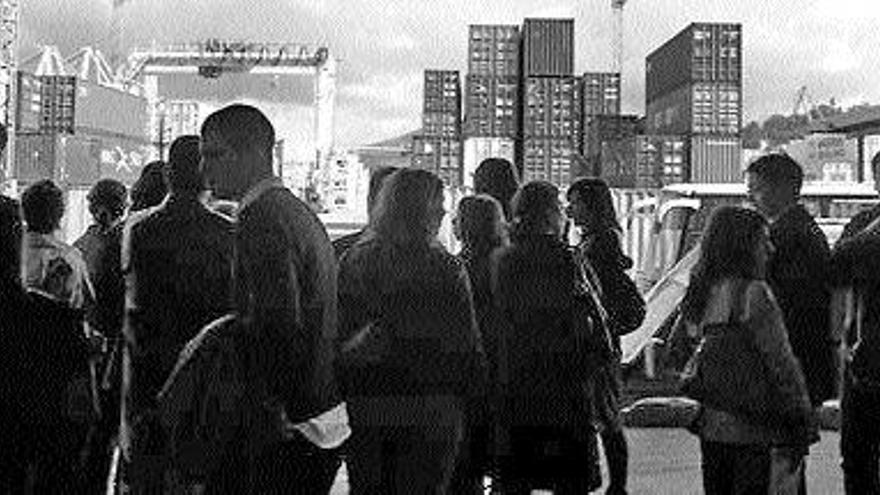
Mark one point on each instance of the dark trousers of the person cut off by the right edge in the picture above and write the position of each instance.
(860, 436)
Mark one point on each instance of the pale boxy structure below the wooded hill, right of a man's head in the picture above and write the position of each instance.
(826, 157)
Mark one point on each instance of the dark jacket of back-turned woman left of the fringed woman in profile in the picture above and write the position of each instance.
(534, 285)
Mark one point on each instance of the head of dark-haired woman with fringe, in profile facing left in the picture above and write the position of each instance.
(590, 205)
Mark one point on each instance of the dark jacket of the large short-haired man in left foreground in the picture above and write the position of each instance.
(286, 294)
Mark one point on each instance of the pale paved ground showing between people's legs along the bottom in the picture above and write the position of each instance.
(667, 461)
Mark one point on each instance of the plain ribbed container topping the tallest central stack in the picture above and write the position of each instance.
(548, 47)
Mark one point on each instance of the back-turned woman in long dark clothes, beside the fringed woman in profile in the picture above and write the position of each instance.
(537, 284)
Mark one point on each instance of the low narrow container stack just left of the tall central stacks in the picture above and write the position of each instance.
(438, 147)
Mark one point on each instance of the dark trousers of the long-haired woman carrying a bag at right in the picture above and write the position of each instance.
(732, 469)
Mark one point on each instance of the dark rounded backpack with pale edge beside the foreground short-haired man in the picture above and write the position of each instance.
(209, 403)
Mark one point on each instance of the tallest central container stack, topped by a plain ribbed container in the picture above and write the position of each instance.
(550, 103)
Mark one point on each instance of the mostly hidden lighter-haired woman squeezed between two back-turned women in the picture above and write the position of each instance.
(481, 228)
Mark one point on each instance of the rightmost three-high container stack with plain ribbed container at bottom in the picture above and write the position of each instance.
(694, 90)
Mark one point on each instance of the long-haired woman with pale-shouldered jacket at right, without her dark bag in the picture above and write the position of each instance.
(728, 285)
